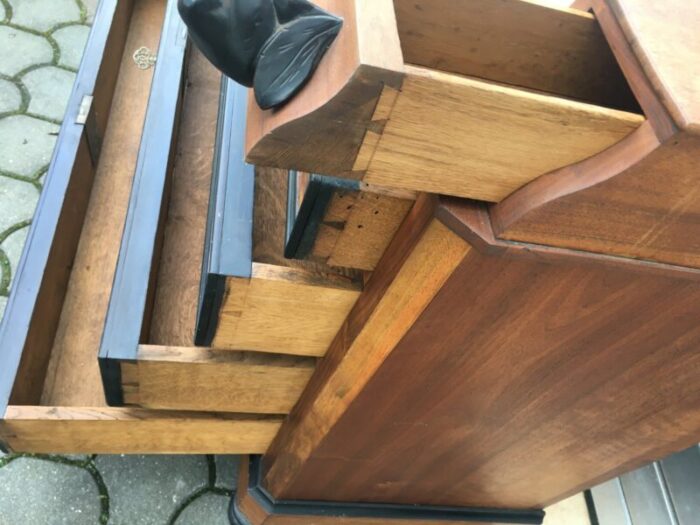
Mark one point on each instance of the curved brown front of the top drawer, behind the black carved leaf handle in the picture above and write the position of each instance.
(331, 114)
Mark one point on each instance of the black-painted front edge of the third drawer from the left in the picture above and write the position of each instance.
(228, 248)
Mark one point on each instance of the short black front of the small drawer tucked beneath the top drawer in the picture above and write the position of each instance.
(303, 225)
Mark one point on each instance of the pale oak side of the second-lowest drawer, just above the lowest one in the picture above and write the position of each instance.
(204, 379)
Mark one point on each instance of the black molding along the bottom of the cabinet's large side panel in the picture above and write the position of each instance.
(388, 512)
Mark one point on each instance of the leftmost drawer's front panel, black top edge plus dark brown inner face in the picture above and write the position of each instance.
(31, 318)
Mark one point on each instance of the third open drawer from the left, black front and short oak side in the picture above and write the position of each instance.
(252, 297)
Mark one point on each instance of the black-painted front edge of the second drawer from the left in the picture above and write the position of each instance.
(128, 304)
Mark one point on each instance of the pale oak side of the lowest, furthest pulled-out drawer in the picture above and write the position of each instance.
(52, 430)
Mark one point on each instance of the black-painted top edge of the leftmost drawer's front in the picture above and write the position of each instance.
(43, 234)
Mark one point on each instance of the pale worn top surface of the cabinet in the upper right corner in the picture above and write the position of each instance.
(665, 39)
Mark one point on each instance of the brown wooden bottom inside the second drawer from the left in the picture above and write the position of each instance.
(180, 267)
